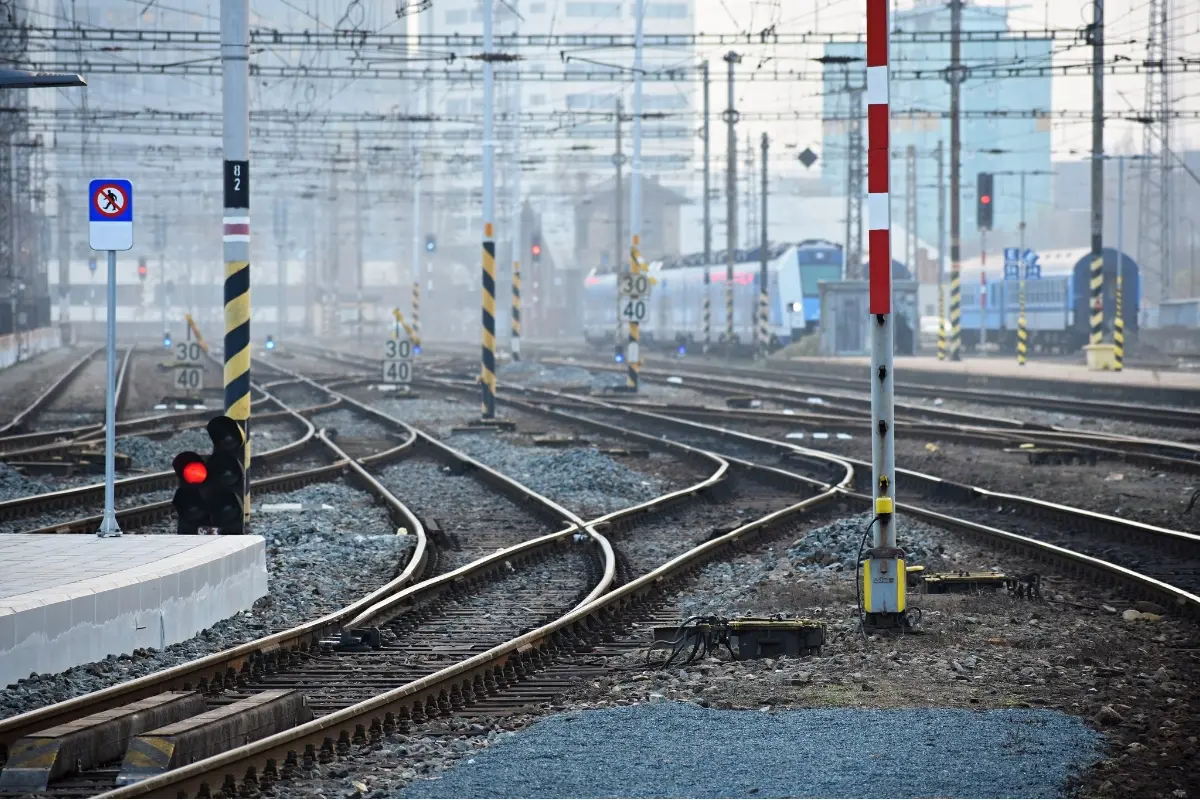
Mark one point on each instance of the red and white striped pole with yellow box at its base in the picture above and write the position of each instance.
(884, 574)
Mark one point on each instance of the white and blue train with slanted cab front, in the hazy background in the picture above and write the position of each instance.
(676, 304)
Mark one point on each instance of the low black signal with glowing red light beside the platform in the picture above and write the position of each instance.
(211, 498)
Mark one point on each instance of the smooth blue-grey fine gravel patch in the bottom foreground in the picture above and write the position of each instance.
(681, 750)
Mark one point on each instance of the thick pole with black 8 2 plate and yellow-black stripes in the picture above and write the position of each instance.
(236, 82)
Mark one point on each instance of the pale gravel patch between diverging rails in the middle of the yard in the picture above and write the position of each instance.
(585, 480)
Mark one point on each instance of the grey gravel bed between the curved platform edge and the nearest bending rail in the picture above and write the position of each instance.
(319, 562)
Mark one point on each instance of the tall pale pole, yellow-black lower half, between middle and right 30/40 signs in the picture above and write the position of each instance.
(488, 377)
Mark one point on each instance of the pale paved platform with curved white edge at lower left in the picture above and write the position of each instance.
(73, 599)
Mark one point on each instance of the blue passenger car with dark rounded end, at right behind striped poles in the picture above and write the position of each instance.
(1057, 305)
